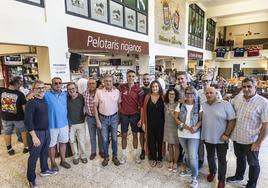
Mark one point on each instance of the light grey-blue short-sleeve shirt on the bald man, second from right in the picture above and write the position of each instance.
(214, 120)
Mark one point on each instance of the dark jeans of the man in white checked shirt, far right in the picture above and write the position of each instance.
(243, 153)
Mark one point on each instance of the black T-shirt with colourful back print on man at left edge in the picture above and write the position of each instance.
(12, 102)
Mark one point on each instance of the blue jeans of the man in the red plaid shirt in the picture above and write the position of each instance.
(93, 132)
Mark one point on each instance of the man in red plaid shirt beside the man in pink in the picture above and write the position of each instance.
(89, 95)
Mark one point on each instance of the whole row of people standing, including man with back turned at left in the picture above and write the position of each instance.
(186, 119)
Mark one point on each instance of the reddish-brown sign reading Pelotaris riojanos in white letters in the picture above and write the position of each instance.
(96, 42)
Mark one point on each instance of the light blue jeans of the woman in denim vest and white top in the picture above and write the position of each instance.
(190, 147)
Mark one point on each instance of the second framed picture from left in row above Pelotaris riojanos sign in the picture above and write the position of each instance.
(99, 10)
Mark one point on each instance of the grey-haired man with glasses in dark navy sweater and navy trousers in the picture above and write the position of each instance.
(36, 122)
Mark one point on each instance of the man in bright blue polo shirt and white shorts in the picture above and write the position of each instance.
(58, 122)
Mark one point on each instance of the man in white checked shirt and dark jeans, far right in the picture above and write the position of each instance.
(250, 130)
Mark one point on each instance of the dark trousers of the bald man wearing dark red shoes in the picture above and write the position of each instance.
(221, 150)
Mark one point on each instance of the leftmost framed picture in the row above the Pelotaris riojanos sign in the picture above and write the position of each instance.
(77, 7)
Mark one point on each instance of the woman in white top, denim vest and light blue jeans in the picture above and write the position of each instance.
(188, 117)
